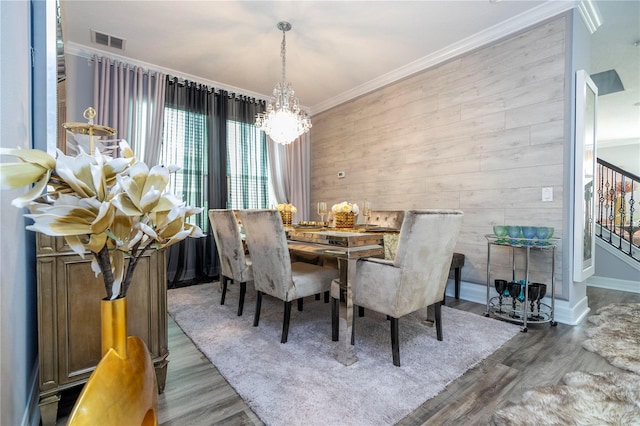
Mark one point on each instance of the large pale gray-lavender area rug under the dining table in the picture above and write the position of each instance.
(301, 383)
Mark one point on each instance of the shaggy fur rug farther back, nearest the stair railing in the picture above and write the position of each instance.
(616, 335)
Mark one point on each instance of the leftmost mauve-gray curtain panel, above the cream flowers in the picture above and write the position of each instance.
(131, 100)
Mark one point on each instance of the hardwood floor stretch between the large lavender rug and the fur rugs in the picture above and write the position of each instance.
(540, 357)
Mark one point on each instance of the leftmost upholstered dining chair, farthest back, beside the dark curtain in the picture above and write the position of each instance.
(235, 265)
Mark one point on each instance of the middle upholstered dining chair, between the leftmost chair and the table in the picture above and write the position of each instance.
(273, 272)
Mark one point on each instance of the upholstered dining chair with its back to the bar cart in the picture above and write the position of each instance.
(415, 279)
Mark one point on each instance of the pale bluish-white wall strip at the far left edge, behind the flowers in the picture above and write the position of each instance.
(17, 289)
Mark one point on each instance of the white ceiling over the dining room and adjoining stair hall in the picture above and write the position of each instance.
(336, 50)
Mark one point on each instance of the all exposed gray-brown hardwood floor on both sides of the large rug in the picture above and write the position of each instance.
(196, 394)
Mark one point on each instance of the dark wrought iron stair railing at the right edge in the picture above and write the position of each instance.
(618, 191)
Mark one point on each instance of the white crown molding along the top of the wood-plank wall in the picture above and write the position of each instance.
(540, 13)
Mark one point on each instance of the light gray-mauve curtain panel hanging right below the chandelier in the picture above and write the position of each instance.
(290, 168)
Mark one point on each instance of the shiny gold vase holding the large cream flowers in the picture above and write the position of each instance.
(123, 387)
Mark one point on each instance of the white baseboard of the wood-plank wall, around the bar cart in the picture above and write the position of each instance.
(563, 312)
